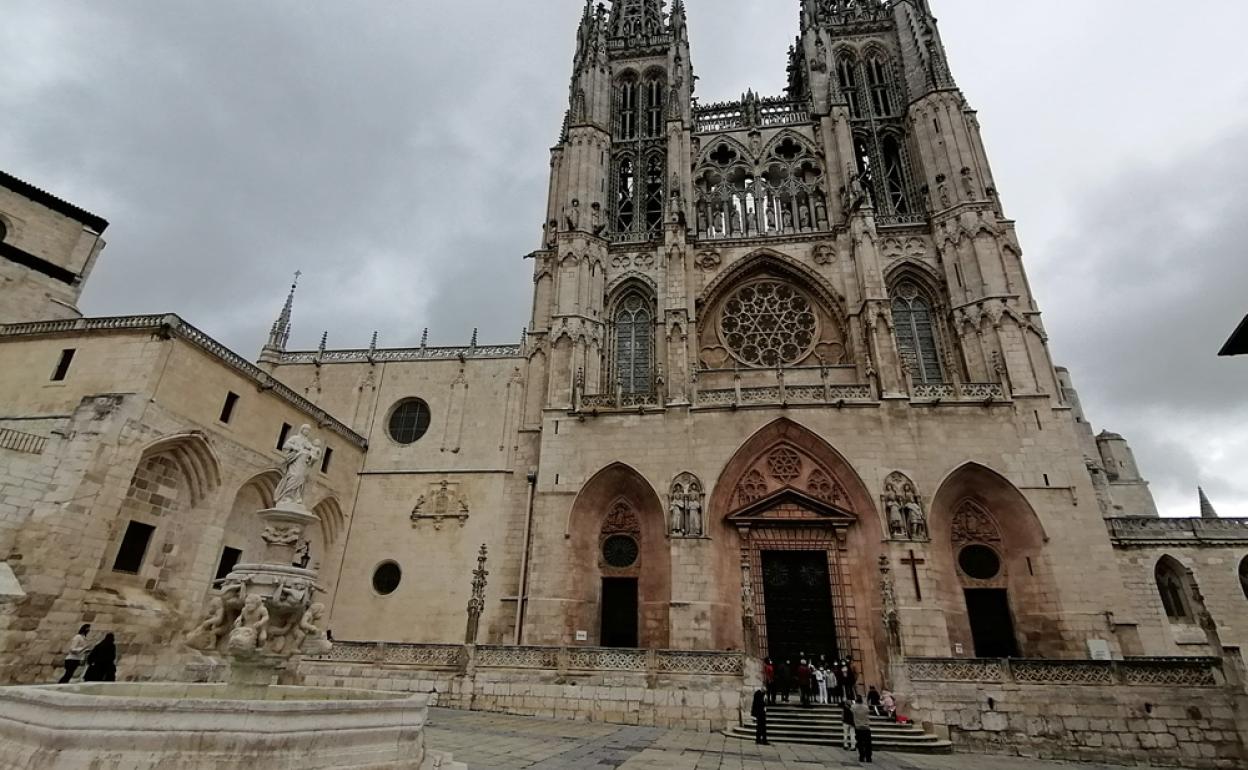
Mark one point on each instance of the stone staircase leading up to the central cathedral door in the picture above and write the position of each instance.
(822, 727)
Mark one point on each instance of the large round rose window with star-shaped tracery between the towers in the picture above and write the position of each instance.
(769, 324)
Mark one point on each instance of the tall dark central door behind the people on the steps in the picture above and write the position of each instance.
(798, 598)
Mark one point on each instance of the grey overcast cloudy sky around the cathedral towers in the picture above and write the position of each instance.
(396, 153)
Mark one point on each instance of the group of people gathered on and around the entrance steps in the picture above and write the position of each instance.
(831, 685)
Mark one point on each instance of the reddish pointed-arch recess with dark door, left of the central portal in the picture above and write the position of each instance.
(615, 506)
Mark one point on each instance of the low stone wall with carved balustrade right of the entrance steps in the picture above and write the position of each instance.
(1146, 712)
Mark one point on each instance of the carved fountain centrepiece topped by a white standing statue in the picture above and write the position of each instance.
(265, 616)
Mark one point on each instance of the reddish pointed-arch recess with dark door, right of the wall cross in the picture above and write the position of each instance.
(978, 507)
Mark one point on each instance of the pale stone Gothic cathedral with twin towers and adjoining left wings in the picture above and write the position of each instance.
(786, 390)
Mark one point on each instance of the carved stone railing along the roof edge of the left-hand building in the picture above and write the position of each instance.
(174, 326)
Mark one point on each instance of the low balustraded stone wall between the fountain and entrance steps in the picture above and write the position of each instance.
(652, 688)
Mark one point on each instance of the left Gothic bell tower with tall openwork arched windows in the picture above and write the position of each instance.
(618, 177)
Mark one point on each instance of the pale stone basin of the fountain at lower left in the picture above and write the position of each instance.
(213, 727)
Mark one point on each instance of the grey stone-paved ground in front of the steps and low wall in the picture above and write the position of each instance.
(496, 742)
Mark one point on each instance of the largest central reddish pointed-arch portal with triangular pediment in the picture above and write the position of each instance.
(799, 525)
